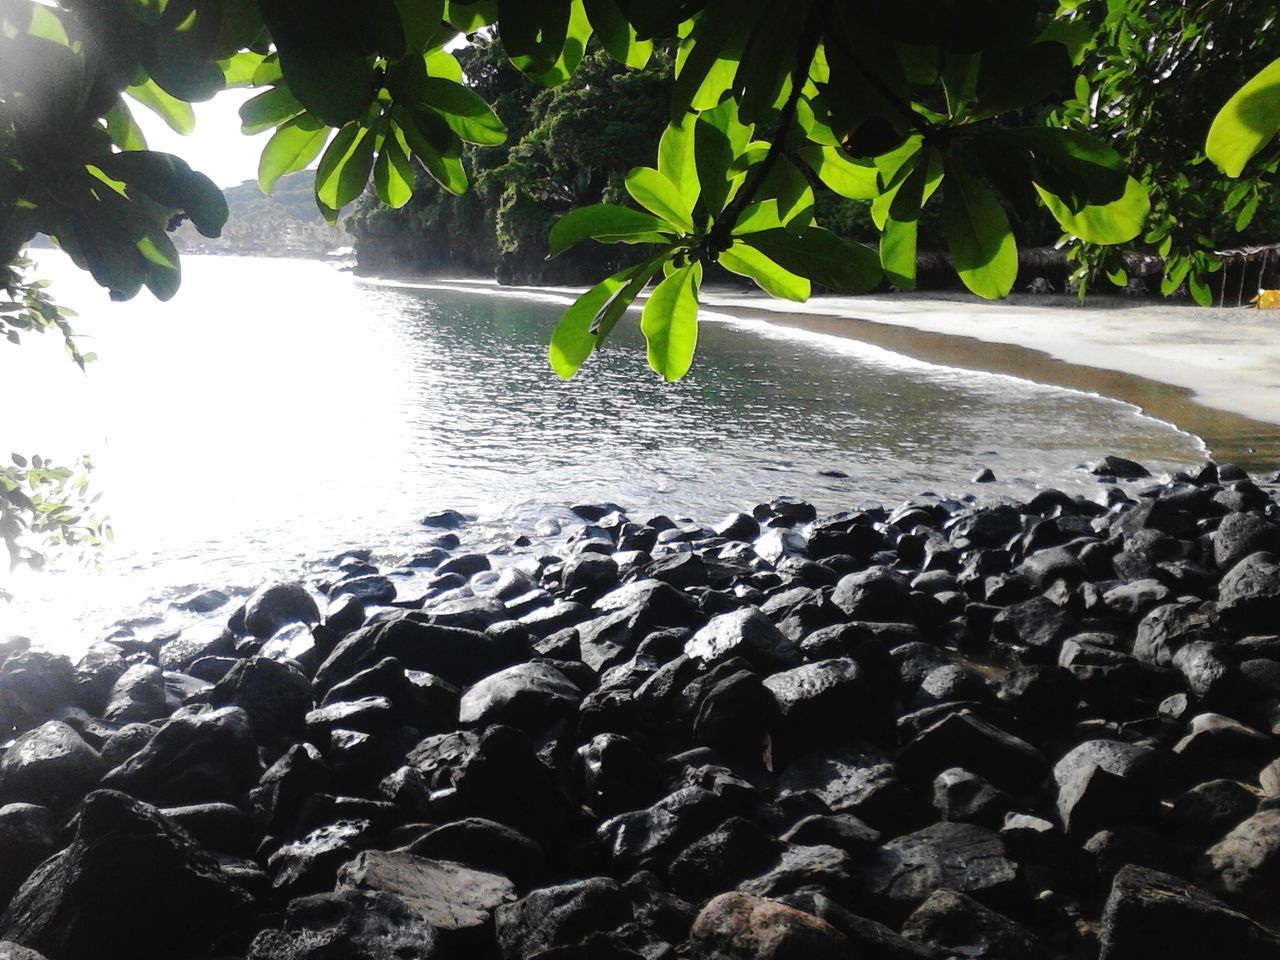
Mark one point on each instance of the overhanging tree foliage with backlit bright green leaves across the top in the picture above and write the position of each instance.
(985, 108)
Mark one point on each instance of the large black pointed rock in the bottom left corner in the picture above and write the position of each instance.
(130, 877)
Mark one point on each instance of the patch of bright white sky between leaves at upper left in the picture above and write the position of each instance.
(216, 148)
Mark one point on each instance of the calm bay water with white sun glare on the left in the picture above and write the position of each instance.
(280, 412)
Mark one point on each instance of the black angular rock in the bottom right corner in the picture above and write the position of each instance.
(1153, 916)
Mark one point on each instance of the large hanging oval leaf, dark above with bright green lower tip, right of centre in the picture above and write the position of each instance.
(979, 236)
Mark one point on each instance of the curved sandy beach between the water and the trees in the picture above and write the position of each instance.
(1155, 358)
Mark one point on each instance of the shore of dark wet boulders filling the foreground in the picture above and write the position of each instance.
(1017, 732)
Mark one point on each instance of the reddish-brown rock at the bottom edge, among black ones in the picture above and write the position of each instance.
(743, 927)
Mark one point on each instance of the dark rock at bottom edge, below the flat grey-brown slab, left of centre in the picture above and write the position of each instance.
(353, 925)
